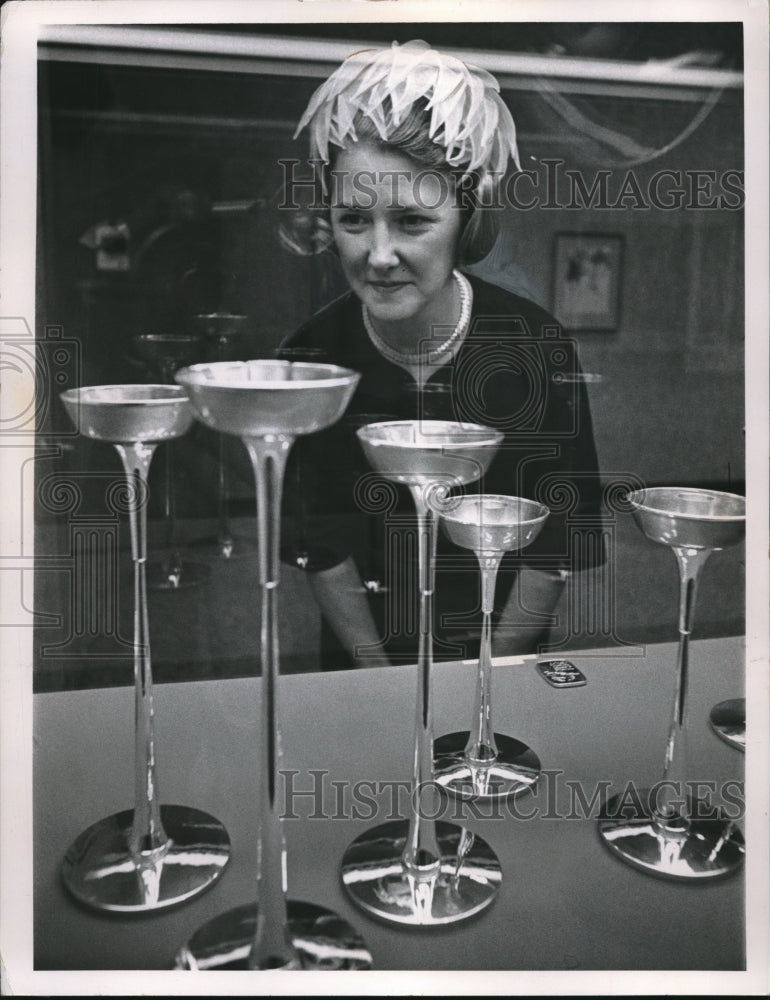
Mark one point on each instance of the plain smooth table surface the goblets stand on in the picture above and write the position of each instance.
(565, 903)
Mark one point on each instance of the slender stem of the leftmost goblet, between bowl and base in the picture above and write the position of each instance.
(147, 833)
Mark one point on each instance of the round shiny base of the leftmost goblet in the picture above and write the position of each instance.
(99, 870)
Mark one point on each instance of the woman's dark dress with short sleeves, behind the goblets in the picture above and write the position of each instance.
(516, 372)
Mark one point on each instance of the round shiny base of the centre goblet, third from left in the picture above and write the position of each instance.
(377, 881)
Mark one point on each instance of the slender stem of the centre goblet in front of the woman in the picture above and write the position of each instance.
(422, 856)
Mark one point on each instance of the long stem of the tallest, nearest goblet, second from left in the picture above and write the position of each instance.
(272, 947)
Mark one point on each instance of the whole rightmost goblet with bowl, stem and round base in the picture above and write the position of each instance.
(670, 833)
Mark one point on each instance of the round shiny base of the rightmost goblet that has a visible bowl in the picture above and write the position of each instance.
(703, 846)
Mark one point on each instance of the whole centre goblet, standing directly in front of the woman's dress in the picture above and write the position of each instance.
(423, 872)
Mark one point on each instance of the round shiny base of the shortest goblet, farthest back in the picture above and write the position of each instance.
(515, 769)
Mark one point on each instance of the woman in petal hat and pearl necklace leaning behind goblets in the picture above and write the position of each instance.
(415, 145)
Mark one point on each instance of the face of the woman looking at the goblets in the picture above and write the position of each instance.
(396, 227)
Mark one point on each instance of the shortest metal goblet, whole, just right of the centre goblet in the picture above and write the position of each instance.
(482, 763)
